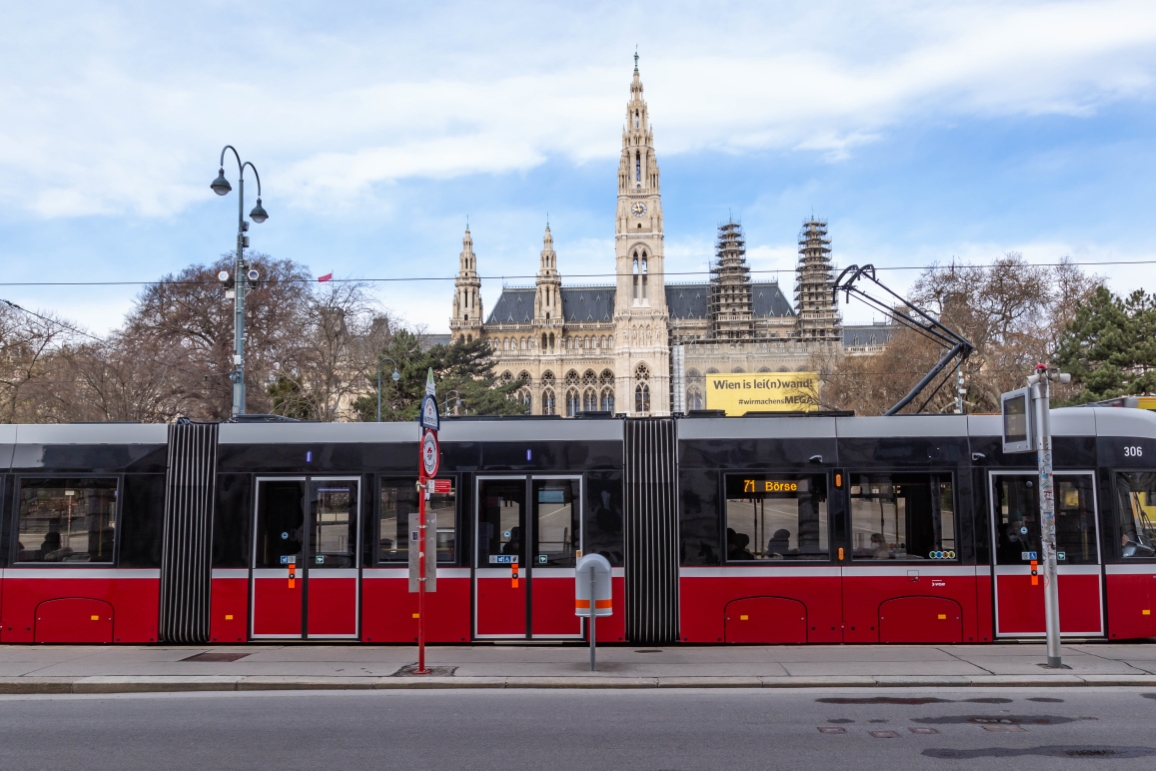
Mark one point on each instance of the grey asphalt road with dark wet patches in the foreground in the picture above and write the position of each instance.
(562, 730)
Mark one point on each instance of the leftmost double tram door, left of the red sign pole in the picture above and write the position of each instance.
(306, 553)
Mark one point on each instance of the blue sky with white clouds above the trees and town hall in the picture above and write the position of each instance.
(922, 131)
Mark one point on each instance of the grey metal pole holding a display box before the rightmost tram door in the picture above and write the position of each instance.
(1041, 398)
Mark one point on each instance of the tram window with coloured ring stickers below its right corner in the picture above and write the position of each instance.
(902, 517)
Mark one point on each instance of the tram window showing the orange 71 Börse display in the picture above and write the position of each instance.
(776, 517)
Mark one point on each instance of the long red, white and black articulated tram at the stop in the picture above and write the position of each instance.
(762, 530)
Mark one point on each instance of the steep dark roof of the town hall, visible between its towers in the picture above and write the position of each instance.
(516, 306)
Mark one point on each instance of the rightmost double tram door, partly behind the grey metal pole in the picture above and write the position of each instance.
(1017, 535)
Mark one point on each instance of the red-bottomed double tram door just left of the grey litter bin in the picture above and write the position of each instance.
(532, 524)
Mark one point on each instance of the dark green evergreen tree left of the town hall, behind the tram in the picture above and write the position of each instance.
(464, 367)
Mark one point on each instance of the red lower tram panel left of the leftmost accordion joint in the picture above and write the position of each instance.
(81, 605)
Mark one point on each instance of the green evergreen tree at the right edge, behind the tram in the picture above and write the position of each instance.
(1110, 347)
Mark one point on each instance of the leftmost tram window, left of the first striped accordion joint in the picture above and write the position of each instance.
(66, 521)
